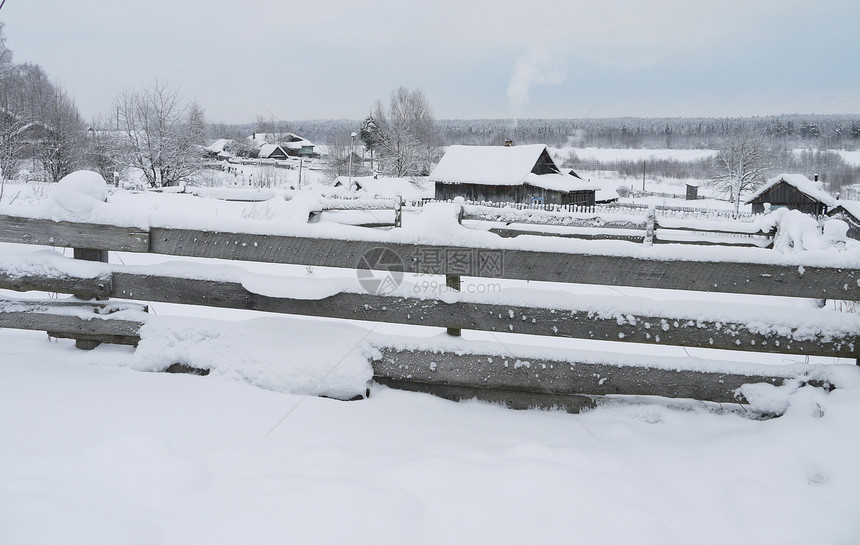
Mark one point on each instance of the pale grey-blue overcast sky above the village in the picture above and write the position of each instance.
(326, 59)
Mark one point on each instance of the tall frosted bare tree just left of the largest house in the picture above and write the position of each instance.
(409, 141)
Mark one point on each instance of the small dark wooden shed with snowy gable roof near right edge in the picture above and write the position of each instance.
(793, 191)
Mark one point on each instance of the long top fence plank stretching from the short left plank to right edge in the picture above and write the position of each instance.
(707, 276)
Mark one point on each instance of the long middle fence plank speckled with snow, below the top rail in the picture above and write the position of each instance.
(636, 328)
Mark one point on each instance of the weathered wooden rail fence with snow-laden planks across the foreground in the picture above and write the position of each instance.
(457, 368)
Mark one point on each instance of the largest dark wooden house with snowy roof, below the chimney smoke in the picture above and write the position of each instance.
(516, 174)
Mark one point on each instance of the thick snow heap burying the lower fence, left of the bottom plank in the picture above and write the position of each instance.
(285, 355)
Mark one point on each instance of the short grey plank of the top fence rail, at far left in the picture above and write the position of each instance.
(73, 235)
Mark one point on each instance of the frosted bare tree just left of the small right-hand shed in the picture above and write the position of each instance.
(743, 162)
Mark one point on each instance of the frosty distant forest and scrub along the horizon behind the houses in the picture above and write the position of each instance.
(813, 133)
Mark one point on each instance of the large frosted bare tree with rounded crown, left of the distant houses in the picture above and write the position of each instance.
(161, 133)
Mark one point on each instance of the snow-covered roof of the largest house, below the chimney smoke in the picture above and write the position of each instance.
(501, 165)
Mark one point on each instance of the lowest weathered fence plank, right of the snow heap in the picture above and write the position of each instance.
(496, 372)
